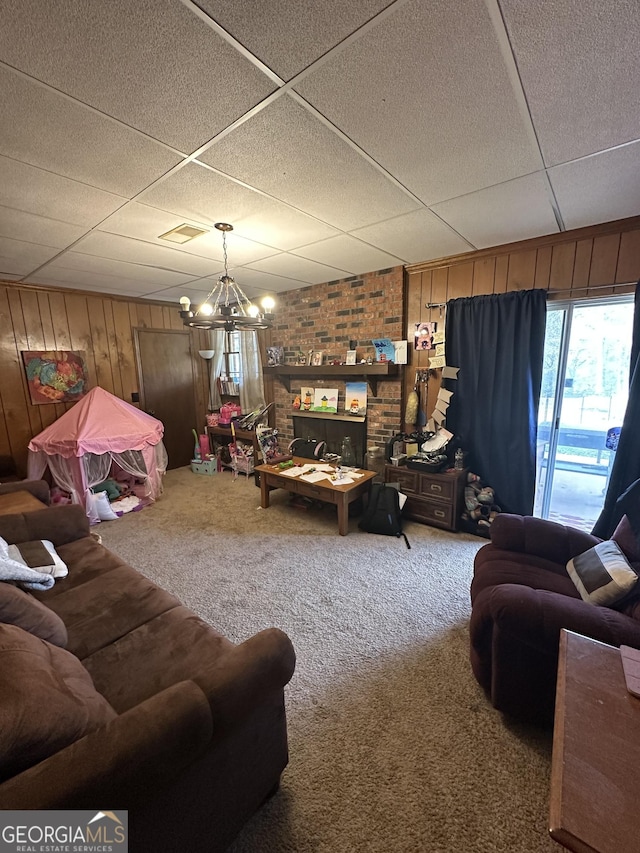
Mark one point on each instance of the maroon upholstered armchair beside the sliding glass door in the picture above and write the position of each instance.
(522, 595)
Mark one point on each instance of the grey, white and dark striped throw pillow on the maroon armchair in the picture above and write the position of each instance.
(602, 574)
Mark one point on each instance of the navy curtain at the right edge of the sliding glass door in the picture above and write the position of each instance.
(626, 466)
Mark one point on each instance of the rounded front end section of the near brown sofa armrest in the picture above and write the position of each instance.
(248, 673)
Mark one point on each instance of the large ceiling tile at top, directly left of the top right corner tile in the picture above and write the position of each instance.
(439, 113)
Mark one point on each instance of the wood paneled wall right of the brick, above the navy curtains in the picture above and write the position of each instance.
(585, 263)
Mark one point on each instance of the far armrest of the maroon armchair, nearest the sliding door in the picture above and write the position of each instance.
(558, 543)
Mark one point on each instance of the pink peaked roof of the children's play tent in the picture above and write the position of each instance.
(99, 423)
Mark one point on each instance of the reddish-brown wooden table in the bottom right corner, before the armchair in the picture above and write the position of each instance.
(595, 770)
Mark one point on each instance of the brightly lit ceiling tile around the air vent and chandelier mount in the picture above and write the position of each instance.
(142, 222)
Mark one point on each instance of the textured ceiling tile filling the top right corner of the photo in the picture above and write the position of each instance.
(584, 96)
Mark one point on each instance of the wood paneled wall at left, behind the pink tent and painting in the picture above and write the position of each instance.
(33, 318)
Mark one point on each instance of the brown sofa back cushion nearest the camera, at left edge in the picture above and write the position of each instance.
(47, 701)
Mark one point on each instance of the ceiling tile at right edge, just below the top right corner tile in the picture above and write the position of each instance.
(600, 188)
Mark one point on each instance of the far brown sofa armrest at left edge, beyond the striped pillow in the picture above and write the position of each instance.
(59, 524)
